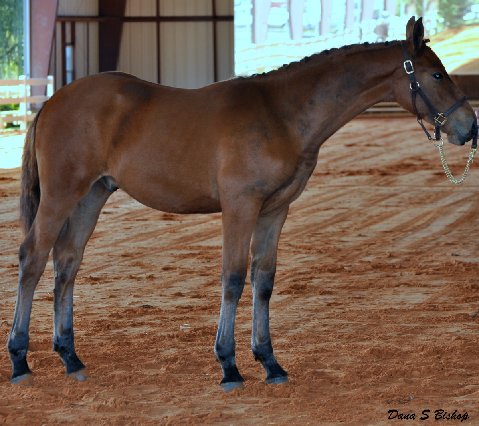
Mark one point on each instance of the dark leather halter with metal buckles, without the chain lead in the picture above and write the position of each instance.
(439, 118)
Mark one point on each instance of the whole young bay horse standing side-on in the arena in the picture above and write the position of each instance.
(245, 147)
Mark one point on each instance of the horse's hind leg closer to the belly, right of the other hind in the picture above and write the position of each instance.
(67, 256)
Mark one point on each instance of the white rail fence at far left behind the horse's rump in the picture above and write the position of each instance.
(19, 92)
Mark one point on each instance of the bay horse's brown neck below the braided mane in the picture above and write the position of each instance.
(321, 96)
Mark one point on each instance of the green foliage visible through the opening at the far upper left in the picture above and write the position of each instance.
(11, 38)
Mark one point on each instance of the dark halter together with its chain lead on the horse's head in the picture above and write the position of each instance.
(439, 119)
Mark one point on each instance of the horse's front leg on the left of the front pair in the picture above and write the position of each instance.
(238, 225)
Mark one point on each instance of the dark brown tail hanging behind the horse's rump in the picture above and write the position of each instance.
(30, 190)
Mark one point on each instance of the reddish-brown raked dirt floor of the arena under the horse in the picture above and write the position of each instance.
(375, 308)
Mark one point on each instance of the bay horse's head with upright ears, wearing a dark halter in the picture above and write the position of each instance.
(423, 87)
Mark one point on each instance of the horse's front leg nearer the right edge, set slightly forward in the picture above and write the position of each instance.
(263, 268)
